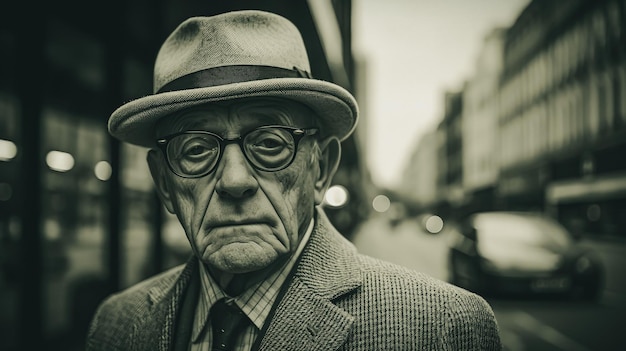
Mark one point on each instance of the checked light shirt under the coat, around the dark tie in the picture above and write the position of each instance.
(256, 302)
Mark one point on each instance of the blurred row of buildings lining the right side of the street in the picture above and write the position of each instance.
(544, 120)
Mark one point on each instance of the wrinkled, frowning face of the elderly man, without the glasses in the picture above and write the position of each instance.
(239, 219)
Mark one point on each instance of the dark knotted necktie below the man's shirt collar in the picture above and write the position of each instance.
(228, 322)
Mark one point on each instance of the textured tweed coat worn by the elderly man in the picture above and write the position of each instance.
(337, 299)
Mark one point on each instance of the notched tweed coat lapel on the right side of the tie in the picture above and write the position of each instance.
(306, 317)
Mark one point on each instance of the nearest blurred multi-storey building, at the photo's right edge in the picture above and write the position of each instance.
(562, 113)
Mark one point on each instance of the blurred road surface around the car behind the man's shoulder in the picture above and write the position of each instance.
(528, 324)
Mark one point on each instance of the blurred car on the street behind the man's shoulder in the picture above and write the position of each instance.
(521, 253)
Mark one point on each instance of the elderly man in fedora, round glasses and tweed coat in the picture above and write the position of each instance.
(243, 145)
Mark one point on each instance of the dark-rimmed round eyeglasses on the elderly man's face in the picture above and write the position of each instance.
(194, 154)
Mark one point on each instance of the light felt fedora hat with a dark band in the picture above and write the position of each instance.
(233, 55)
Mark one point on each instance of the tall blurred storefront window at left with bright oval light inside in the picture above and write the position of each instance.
(74, 220)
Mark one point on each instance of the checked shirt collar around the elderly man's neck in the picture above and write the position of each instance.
(256, 302)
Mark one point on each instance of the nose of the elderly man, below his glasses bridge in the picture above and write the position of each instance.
(235, 178)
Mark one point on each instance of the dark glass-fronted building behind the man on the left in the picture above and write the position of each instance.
(78, 215)
